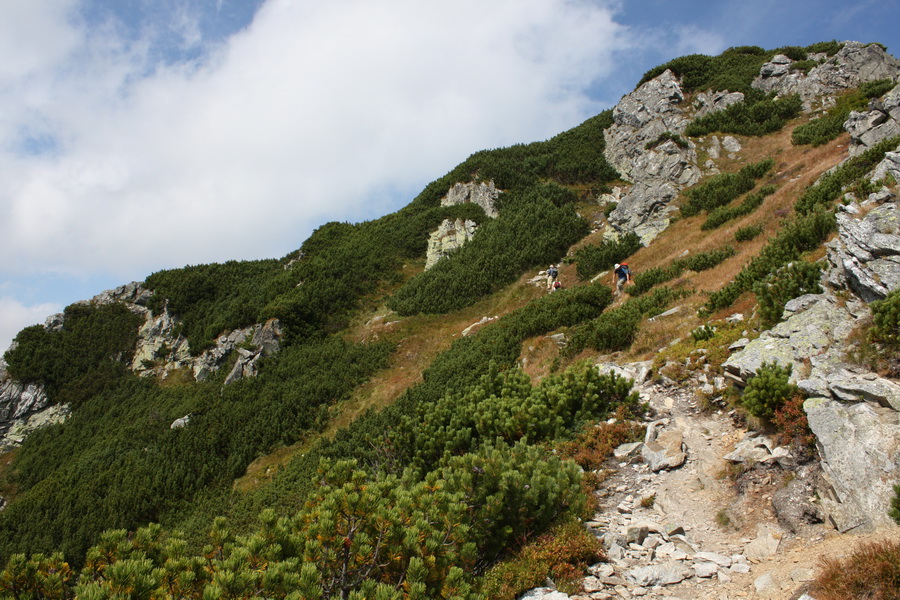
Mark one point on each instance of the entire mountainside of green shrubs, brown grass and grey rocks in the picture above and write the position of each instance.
(403, 429)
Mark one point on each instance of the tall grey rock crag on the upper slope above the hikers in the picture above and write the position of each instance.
(657, 173)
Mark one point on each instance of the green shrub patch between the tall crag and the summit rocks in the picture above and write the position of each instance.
(758, 114)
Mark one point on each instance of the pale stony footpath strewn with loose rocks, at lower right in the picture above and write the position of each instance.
(691, 530)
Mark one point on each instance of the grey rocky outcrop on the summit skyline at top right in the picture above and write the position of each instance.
(852, 65)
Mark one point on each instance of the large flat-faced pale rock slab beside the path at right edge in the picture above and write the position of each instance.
(860, 449)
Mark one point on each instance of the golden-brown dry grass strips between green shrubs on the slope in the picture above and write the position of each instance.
(420, 338)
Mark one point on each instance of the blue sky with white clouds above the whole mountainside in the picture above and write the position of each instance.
(139, 135)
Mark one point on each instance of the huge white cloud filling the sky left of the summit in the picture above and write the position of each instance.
(316, 111)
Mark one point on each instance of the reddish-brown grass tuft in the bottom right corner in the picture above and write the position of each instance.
(871, 572)
